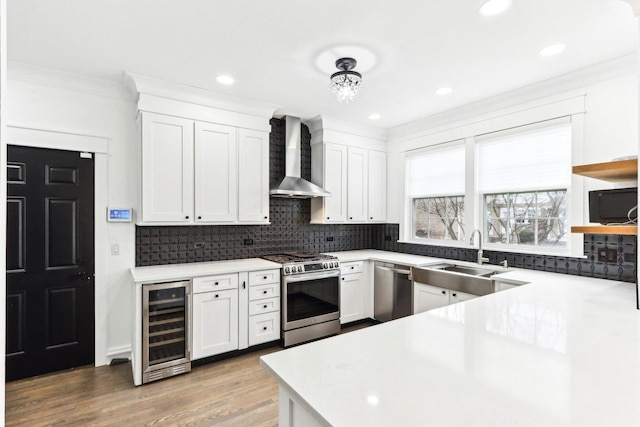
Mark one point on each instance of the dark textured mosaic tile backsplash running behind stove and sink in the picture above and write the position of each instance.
(290, 231)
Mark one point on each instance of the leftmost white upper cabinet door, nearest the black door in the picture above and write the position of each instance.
(167, 168)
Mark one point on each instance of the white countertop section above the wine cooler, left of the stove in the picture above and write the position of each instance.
(163, 273)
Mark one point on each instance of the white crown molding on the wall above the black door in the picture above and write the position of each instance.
(27, 73)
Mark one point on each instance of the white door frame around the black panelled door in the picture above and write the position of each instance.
(42, 138)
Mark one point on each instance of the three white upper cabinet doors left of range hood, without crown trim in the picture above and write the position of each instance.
(196, 172)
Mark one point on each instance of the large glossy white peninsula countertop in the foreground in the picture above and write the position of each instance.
(560, 351)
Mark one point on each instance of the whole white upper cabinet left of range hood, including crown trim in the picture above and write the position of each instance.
(204, 160)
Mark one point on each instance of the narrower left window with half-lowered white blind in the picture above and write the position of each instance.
(435, 183)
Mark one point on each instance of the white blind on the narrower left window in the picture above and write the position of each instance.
(436, 172)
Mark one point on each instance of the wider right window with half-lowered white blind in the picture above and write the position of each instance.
(524, 176)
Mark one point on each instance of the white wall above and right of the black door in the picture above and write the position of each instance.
(85, 107)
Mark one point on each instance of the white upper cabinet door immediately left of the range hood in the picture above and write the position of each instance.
(253, 176)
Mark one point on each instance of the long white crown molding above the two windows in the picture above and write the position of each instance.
(578, 80)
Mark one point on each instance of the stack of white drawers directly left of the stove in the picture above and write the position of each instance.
(264, 306)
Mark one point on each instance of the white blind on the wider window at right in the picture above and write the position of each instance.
(533, 157)
